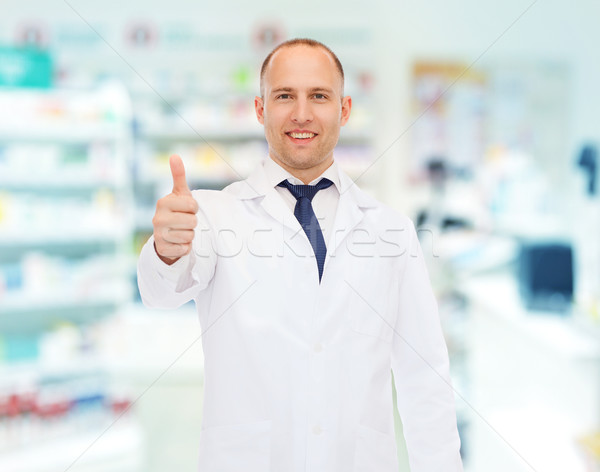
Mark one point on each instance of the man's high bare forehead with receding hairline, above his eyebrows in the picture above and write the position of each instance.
(302, 67)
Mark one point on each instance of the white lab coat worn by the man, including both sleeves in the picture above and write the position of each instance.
(297, 373)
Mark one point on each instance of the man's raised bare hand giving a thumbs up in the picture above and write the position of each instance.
(175, 217)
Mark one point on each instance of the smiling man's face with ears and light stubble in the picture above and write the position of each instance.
(302, 108)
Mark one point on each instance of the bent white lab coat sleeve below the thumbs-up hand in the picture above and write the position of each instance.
(170, 286)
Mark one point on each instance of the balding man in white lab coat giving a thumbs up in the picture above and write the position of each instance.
(308, 298)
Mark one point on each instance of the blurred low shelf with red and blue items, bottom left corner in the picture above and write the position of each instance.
(64, 411)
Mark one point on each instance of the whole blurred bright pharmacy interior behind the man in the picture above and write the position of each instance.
(477, 119)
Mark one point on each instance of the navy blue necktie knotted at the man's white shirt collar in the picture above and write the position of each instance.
(307, 218)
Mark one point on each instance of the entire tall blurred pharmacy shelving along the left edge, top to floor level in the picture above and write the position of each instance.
(66, 221)
